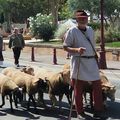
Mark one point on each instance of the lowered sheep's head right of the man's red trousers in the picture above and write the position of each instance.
(109, 91)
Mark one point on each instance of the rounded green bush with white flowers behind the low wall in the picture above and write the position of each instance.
(42, 26)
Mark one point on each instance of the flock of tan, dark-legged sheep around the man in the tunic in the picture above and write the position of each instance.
(16, 83)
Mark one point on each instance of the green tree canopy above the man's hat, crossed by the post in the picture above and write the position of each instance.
(111, 8)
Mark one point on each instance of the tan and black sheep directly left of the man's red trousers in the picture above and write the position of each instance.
(58, 86)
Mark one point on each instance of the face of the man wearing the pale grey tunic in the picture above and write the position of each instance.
(81, 20)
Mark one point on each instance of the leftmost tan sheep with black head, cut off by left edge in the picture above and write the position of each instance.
(8, 87)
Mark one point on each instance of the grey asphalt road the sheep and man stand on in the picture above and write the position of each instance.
(20, 113)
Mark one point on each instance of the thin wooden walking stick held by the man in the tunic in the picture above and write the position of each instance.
(73, 98)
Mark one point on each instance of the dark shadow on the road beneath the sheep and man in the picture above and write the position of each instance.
(112, 112)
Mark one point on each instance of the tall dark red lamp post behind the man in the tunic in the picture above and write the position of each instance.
(102, 61)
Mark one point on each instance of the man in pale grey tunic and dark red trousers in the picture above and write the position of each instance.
(84, 67)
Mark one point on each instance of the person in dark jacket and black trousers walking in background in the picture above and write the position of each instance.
(16, 42)
